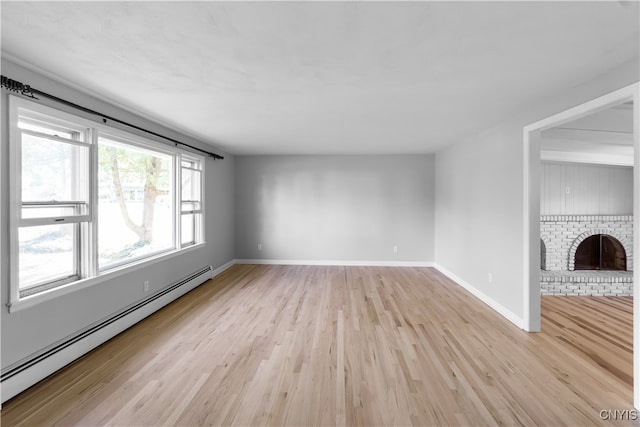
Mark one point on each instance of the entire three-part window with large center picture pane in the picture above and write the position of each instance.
(87, 200)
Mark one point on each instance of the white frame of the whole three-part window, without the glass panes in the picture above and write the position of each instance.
(86, 243)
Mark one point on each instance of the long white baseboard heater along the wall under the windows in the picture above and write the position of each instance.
(26, 373)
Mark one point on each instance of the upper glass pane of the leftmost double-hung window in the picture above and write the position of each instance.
(50, 169)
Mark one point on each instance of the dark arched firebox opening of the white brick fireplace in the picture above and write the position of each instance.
(601, 252)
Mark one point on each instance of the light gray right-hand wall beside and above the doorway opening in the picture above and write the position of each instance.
(479, 195)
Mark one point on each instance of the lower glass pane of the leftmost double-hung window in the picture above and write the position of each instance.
(45, 254)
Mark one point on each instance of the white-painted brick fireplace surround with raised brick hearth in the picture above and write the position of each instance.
(561, 235)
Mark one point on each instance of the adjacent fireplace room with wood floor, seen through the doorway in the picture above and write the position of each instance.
(586, 235)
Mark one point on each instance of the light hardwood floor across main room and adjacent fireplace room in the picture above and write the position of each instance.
(302, 345)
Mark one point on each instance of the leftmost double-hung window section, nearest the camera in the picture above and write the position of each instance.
(53, 207)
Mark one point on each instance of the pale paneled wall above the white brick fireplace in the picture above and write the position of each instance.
(577, 189)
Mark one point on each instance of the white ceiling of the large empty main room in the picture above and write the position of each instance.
(323, 77)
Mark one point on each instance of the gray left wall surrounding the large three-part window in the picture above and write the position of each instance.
(29, 330)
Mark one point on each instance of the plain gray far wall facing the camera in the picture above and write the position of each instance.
(345, 208)
